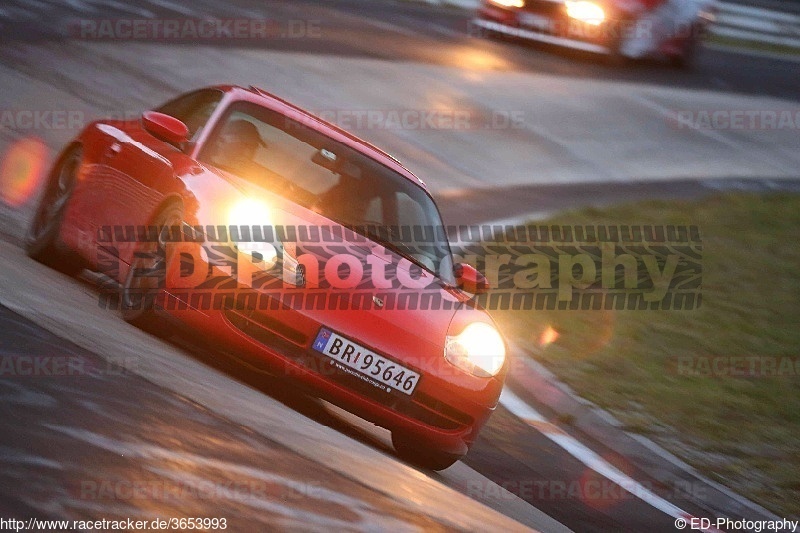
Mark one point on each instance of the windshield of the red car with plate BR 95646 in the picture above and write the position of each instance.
(331, 179)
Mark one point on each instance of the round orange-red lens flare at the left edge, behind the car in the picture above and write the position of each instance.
(21, 170)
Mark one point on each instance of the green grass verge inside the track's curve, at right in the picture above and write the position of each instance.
(741, 430)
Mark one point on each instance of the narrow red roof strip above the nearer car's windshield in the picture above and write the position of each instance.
(276, 103)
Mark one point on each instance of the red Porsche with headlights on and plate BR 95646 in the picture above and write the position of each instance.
(290, 243)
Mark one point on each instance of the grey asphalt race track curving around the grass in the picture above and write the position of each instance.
(544, 130)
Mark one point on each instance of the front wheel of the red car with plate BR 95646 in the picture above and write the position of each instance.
(138, 293)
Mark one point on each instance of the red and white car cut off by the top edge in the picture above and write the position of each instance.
(620, 28)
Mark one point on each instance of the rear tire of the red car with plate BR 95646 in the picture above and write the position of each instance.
(42, 241)
